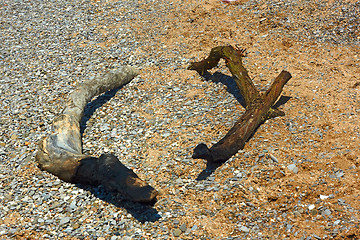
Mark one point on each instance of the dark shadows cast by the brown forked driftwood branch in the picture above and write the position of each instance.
(233, 89)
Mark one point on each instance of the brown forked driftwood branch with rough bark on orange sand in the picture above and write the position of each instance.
(258, 106)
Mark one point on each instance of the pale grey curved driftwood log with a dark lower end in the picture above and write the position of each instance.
(60, 153)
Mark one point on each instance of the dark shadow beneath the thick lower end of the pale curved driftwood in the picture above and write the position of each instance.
(140, 211)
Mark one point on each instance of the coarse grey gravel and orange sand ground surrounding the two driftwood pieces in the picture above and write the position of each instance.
(297, 178)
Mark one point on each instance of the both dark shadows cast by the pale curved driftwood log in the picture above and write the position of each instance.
(141, 212)
